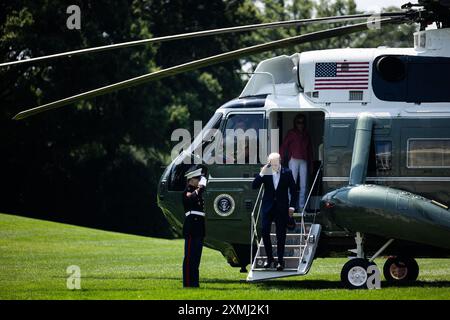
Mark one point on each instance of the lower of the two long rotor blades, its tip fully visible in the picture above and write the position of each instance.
(208, 61)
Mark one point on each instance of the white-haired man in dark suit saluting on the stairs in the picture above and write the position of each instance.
(276, 206)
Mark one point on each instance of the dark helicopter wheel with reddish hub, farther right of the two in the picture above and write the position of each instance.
(399, 270)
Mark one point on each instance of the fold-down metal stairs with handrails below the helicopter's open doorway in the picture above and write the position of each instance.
(300, 246)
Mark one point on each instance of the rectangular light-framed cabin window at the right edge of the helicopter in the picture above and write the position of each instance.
(428, 153)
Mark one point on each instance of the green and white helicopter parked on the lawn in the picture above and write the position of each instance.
(379, 123)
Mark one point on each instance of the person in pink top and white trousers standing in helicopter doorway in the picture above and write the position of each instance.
(297, 148)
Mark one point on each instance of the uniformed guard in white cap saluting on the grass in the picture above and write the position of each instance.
(194, 226)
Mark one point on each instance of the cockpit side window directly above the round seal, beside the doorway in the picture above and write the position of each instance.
(241, 134)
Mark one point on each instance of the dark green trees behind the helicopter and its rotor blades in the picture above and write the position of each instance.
(98, 162)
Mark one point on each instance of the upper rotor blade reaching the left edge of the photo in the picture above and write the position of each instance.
(270, 25)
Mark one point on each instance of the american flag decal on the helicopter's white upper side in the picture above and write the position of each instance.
(341, 76)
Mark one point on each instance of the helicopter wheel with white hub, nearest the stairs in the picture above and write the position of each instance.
(354, 273)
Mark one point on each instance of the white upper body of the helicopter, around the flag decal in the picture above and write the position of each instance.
(279, 78)
